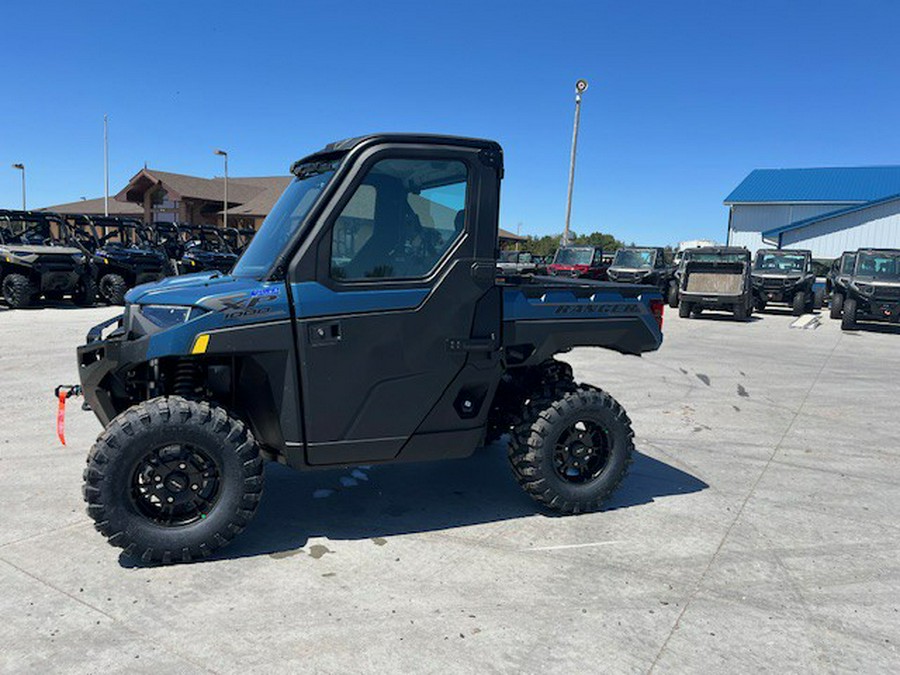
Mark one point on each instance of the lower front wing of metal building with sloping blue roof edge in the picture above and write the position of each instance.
(877, 227)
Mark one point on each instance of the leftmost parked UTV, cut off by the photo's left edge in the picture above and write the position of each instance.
(38, 258)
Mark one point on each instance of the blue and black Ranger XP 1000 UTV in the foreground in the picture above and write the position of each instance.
(363, 324)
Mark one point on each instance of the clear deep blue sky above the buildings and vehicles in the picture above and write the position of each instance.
(685, 97)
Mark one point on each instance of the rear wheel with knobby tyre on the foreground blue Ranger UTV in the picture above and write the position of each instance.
(573, 452)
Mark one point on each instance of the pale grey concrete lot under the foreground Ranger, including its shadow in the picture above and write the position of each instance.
(757, 531)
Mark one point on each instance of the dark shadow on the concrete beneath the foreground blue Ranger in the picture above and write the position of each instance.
(409, 498)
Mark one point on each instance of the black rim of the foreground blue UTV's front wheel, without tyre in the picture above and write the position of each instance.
(175, 485)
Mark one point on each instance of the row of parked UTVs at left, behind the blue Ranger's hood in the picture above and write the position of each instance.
(94, 259)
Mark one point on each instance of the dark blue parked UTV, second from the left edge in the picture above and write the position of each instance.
(122, 254)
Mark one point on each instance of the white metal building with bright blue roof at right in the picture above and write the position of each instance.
(827, 210)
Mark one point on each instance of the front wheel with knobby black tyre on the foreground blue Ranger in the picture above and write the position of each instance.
(173, 480)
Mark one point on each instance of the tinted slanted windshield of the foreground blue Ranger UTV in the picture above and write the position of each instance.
(284, 219)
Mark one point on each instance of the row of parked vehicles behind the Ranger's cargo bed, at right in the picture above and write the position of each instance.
(861, 285)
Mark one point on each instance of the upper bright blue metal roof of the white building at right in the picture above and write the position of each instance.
(847, 184)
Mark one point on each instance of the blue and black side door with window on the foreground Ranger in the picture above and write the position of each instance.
(386, 317)
